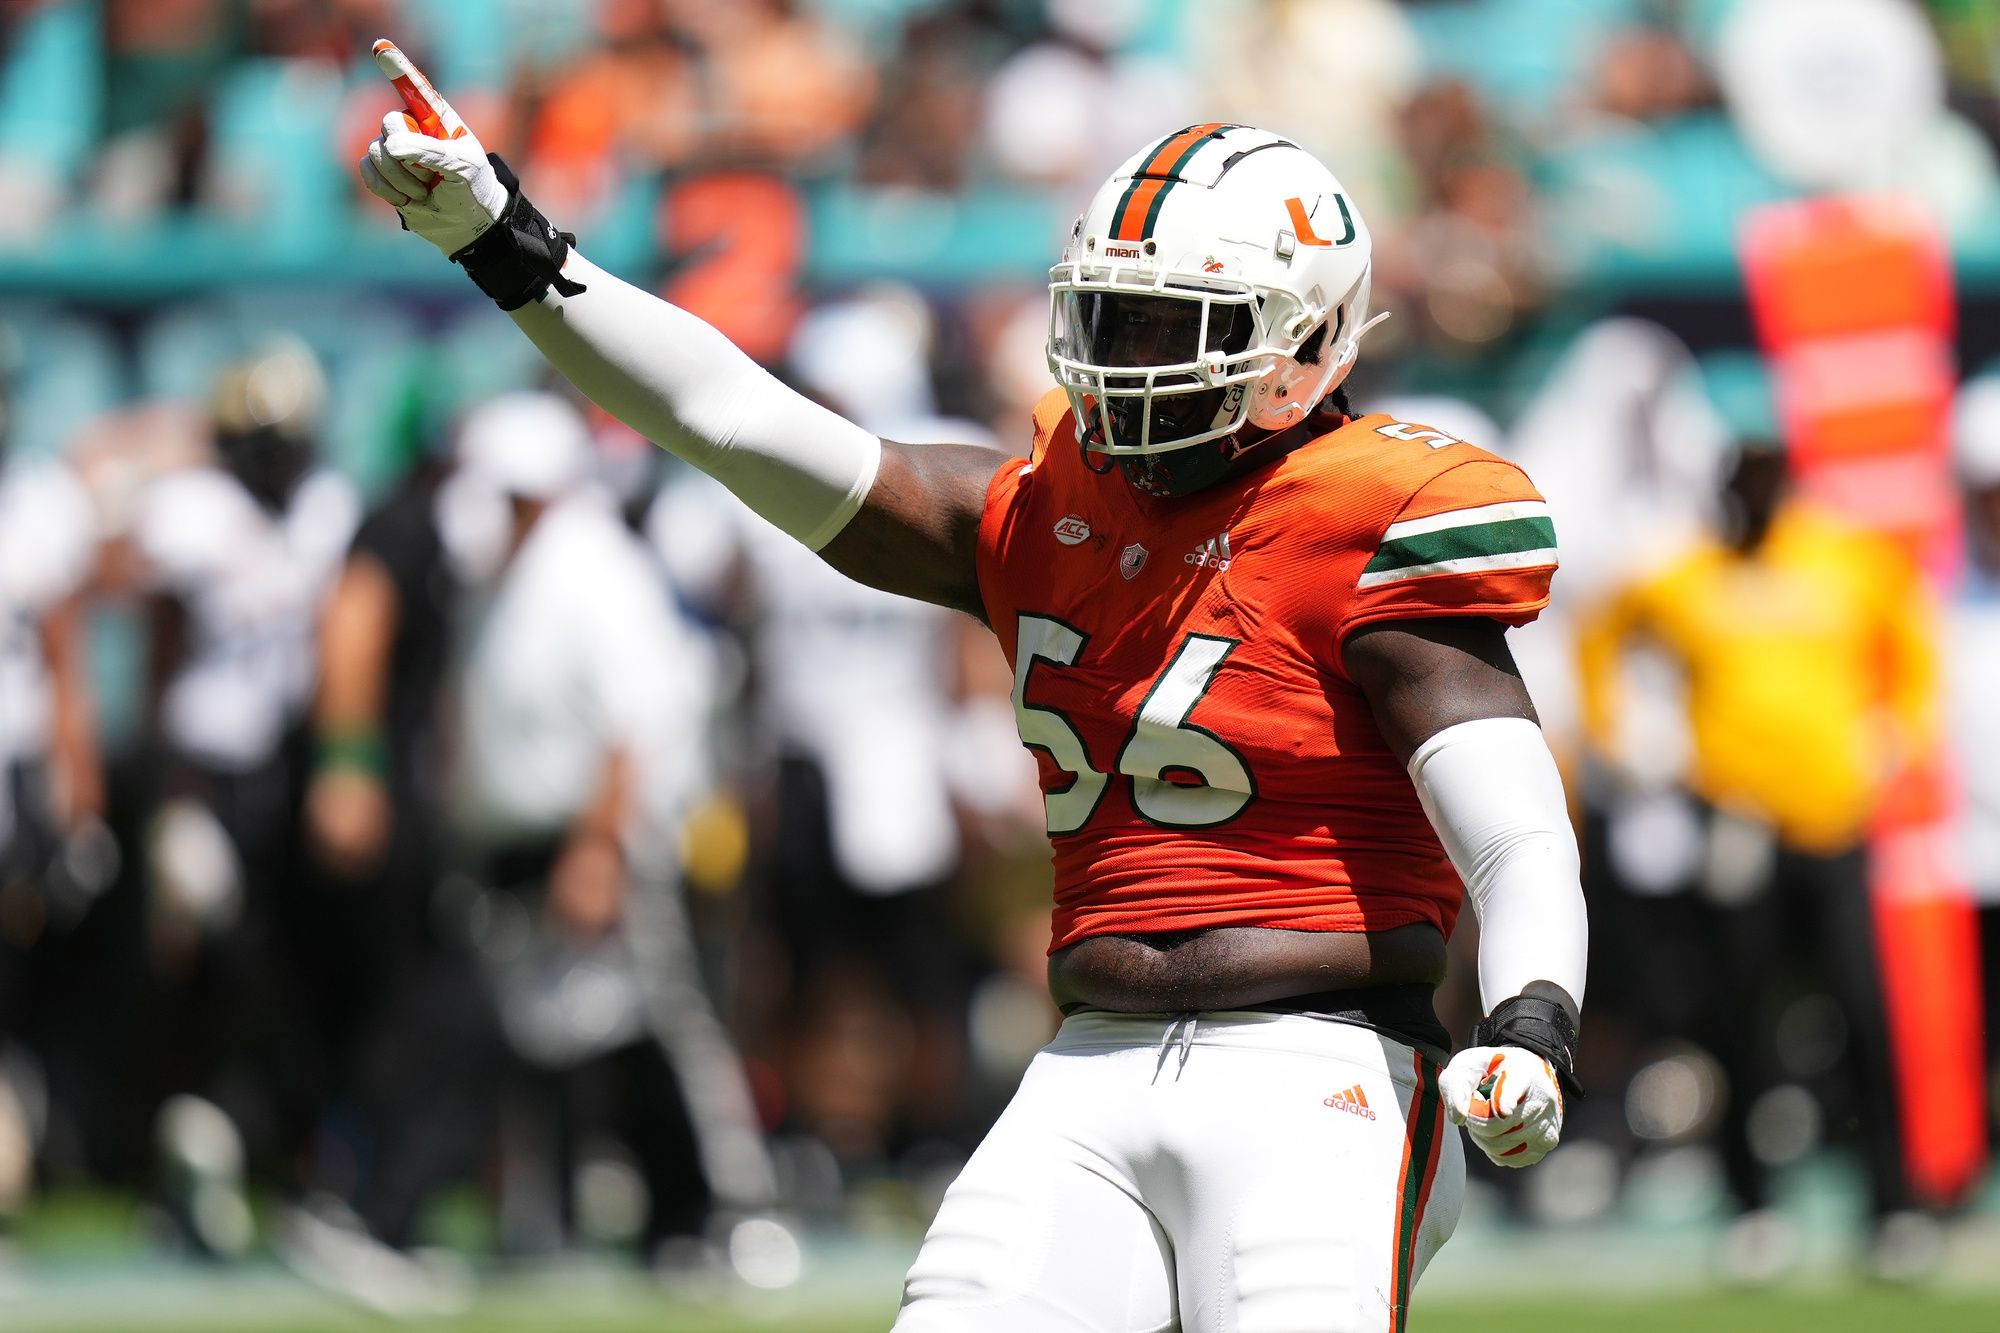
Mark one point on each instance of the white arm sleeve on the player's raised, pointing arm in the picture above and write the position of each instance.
(683, 385)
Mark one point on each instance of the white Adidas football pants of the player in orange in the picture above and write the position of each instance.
(1199, 1174)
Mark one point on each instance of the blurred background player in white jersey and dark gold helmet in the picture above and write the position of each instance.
(241, 555)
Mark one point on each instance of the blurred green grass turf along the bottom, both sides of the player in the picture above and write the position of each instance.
(85, 1264)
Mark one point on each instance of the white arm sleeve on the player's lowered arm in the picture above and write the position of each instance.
(1495, 798)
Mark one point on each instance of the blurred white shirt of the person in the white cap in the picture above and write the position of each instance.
(579, 651)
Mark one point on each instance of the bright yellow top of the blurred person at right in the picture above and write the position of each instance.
(1811, 672)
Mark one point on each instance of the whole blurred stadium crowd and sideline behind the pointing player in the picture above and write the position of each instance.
(307, 1018)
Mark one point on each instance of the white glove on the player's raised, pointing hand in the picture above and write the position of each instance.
(429, 165)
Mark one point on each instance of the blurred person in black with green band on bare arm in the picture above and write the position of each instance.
(407, 1014)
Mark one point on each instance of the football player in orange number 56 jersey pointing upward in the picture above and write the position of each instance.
(1259, 653)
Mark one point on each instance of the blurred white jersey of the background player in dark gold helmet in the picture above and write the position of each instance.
(253, 585)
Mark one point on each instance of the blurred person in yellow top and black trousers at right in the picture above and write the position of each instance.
(1807, 661)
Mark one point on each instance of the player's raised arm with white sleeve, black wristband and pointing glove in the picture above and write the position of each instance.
(899, 517)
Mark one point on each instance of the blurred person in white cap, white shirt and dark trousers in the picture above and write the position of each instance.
(583, 742)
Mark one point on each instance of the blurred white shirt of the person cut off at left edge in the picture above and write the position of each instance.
(47, 545)
